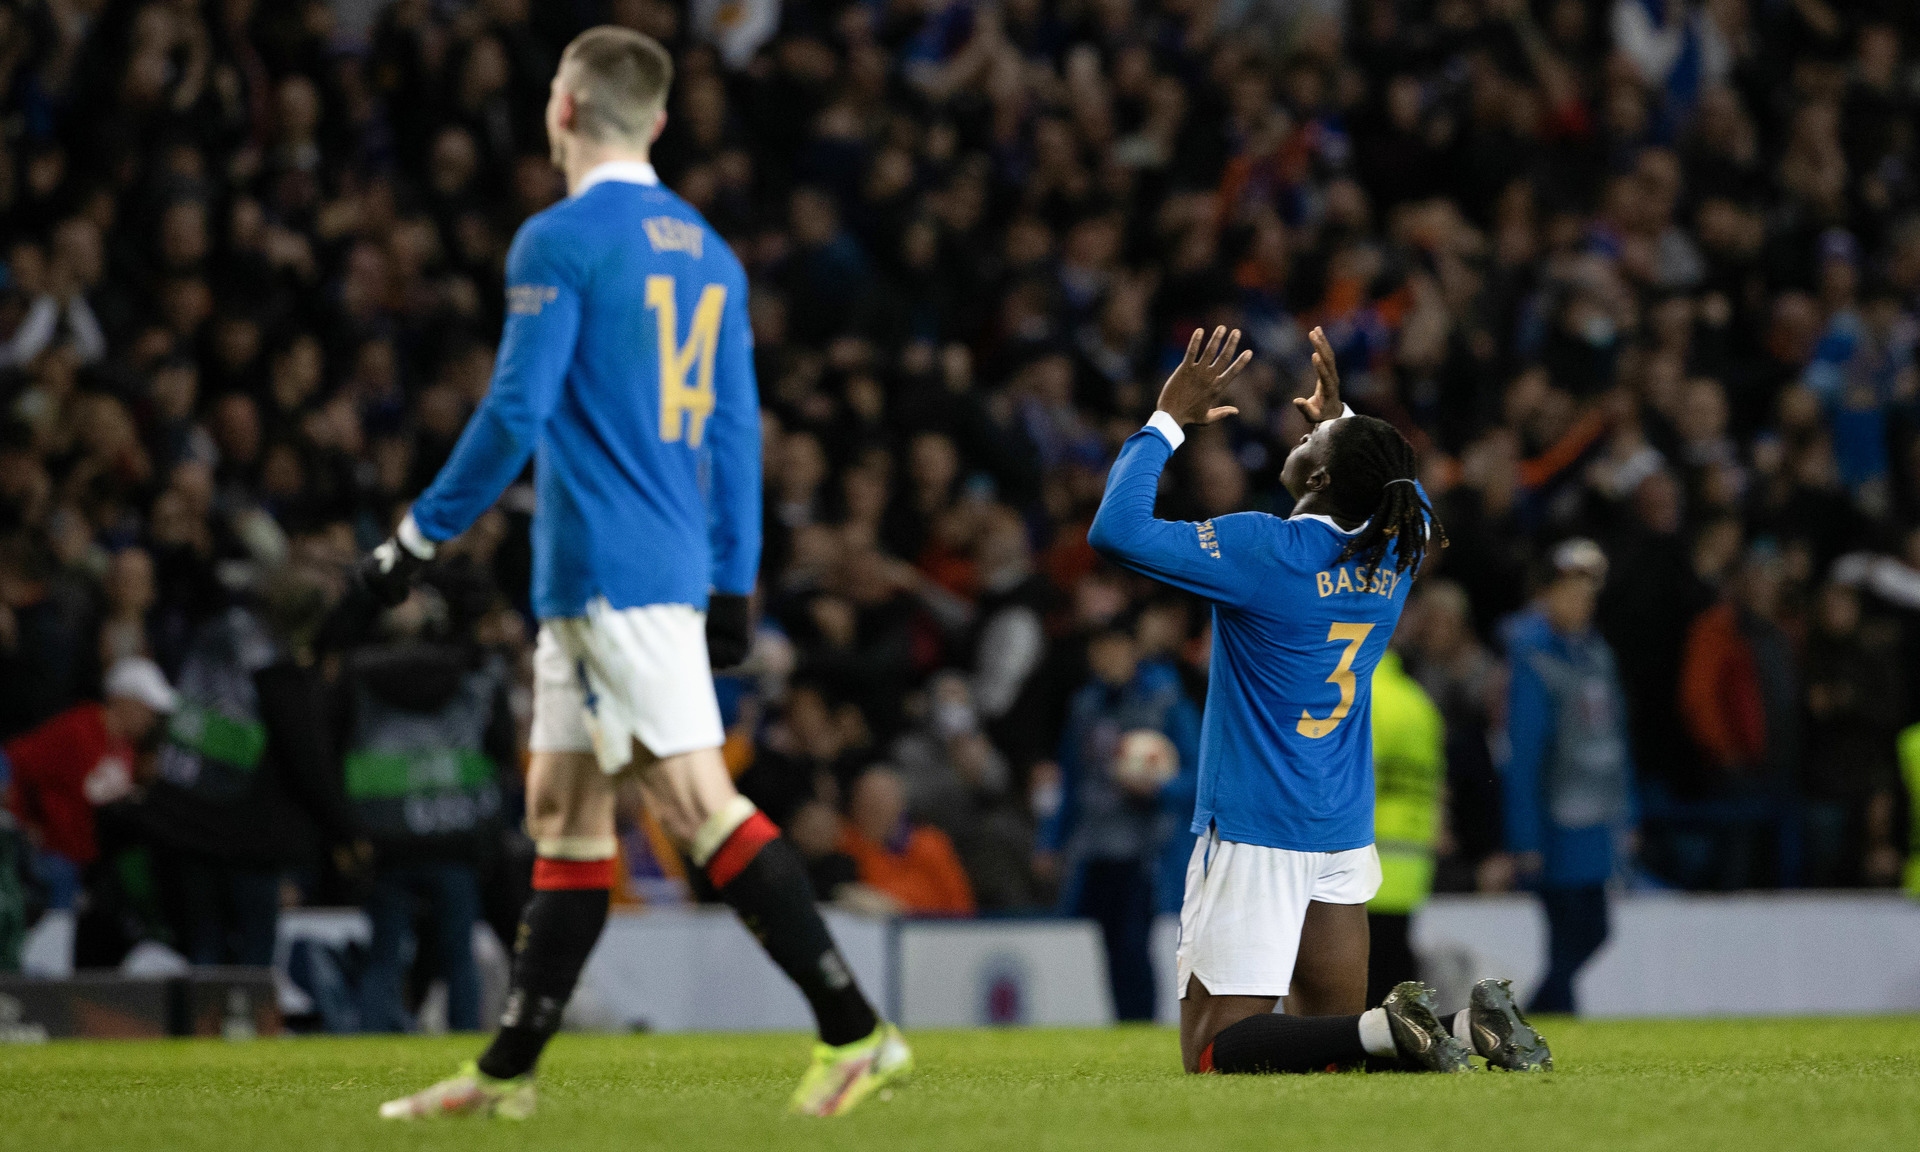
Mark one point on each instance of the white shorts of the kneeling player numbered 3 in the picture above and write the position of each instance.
(1245, 905)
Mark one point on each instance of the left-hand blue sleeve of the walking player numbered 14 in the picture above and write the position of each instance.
(535, 350)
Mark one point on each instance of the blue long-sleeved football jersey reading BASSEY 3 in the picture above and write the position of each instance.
(1287, 736)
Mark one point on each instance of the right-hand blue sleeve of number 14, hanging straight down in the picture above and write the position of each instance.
(734, 431)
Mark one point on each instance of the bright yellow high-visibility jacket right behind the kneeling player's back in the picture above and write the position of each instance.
(1408, 767)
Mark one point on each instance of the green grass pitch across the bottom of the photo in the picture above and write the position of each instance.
(1742, 1086)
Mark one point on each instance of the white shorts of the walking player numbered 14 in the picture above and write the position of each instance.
(621, 675)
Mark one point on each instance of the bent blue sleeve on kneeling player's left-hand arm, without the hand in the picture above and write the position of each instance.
(1178, 552)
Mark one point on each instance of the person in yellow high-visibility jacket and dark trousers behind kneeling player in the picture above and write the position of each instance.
(1408, 811)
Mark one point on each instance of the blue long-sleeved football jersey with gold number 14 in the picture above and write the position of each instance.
(627, 373)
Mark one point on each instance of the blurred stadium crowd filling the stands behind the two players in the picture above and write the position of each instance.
(1639, 272)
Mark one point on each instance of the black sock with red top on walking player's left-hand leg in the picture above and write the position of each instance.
(558, 932)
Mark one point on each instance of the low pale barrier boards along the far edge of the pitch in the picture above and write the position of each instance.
(1669, 955)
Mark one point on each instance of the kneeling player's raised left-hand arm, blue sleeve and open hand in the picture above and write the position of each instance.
(1180, 552)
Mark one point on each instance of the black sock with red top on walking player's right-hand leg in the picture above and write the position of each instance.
(763, 878)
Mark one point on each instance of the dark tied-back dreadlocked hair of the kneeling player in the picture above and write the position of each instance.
(1364, 464)
